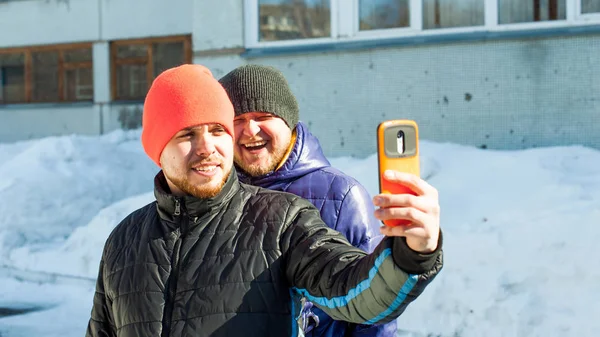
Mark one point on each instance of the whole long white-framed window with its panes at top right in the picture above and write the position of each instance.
(297, 22)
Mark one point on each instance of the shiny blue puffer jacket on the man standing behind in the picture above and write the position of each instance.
(345, 205)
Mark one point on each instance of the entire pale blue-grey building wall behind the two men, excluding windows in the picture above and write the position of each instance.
(500, 94)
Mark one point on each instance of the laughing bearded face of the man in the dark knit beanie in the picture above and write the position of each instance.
(261, 141)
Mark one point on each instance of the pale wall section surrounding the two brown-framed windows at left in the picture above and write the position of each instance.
(34, 22)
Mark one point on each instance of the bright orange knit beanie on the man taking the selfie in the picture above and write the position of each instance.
(180, 97)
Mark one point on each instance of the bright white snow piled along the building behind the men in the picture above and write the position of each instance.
(520, 234)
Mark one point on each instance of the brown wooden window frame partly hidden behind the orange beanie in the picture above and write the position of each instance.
(147, 60)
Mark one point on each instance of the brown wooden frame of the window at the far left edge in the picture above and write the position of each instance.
(62, 67)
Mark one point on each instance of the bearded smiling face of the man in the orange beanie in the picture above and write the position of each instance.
(198, 160)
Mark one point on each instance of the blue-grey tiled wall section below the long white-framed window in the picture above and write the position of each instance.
(501, 95)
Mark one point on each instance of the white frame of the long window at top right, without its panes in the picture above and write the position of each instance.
(345, 24)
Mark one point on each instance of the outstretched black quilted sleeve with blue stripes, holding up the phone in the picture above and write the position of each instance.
(344, 281)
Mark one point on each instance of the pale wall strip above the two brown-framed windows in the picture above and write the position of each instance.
(35, 22)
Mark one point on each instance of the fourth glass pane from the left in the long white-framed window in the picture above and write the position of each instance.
(517, 11)
